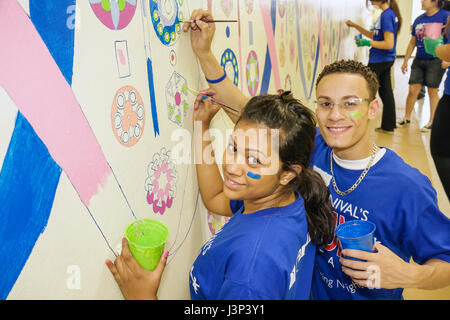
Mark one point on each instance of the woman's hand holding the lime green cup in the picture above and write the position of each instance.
(135, 282)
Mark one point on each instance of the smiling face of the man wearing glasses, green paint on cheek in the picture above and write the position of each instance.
(346, 128)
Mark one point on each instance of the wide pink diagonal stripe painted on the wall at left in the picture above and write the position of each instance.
(34, 82)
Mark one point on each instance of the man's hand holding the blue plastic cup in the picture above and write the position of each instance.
(381, 269)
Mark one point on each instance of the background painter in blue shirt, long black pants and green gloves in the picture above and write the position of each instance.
(383, 45)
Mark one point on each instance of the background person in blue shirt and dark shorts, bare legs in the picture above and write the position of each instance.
(426, 69)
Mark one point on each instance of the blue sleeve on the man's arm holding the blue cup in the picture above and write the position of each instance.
(428, 234)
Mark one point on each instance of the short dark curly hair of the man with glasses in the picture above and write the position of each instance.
(354, 67)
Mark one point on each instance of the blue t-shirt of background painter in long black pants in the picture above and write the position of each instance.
(387, 22)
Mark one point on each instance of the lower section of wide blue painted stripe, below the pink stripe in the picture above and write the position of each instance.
(28, 183)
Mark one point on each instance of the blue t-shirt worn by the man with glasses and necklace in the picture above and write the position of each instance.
(402, 204)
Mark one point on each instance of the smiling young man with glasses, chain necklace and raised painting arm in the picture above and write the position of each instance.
(366, 182)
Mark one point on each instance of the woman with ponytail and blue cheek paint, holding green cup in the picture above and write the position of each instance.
(279, 206)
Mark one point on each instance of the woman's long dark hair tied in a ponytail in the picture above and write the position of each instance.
(297, 127)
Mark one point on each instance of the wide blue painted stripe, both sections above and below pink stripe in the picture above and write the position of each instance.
(29, 176)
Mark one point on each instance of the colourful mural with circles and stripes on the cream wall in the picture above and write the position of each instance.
(116, 76)
